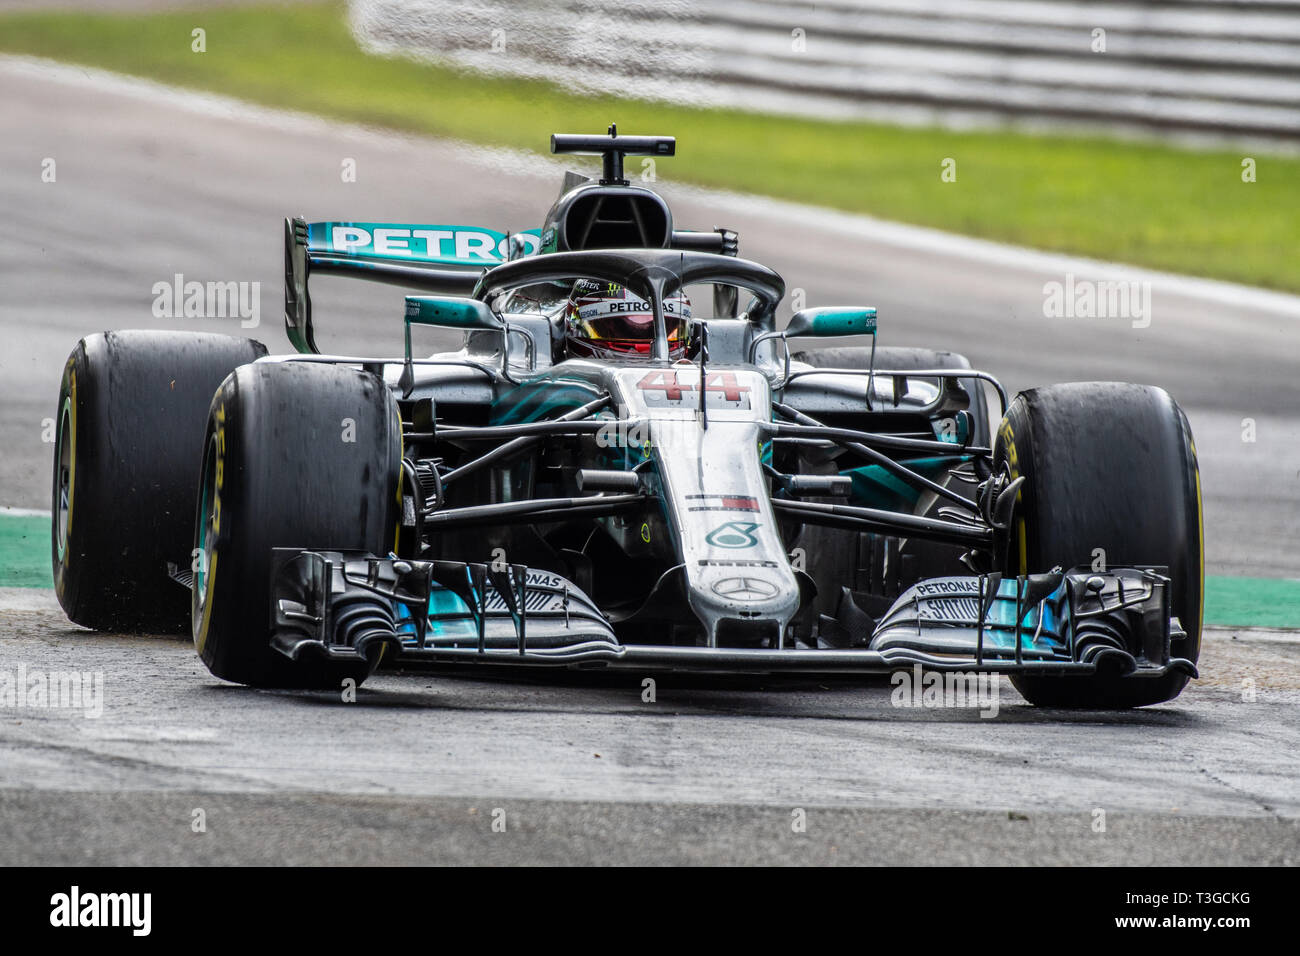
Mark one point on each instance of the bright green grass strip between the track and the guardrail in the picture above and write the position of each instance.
(1147, 205)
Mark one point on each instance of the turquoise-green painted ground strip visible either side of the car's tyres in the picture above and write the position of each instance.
(1229, 602)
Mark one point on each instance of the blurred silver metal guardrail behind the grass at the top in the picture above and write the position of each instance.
(1223, 68)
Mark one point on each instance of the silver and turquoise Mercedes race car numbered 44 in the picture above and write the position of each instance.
(604, 477)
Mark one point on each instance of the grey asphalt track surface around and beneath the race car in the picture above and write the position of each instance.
(583, 769)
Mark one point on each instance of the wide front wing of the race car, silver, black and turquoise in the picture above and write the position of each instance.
(349, 605)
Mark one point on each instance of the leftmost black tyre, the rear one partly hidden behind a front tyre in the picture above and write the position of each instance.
(129, 434)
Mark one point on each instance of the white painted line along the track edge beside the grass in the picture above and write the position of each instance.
(522, 163)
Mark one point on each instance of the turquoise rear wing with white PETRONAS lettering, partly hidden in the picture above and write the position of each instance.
(444, 259)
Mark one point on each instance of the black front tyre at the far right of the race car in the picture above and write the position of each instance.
(1113, 468)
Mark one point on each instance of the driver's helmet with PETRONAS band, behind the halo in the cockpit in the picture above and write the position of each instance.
(605, 321)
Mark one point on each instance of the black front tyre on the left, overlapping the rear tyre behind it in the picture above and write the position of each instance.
(298, 456)
